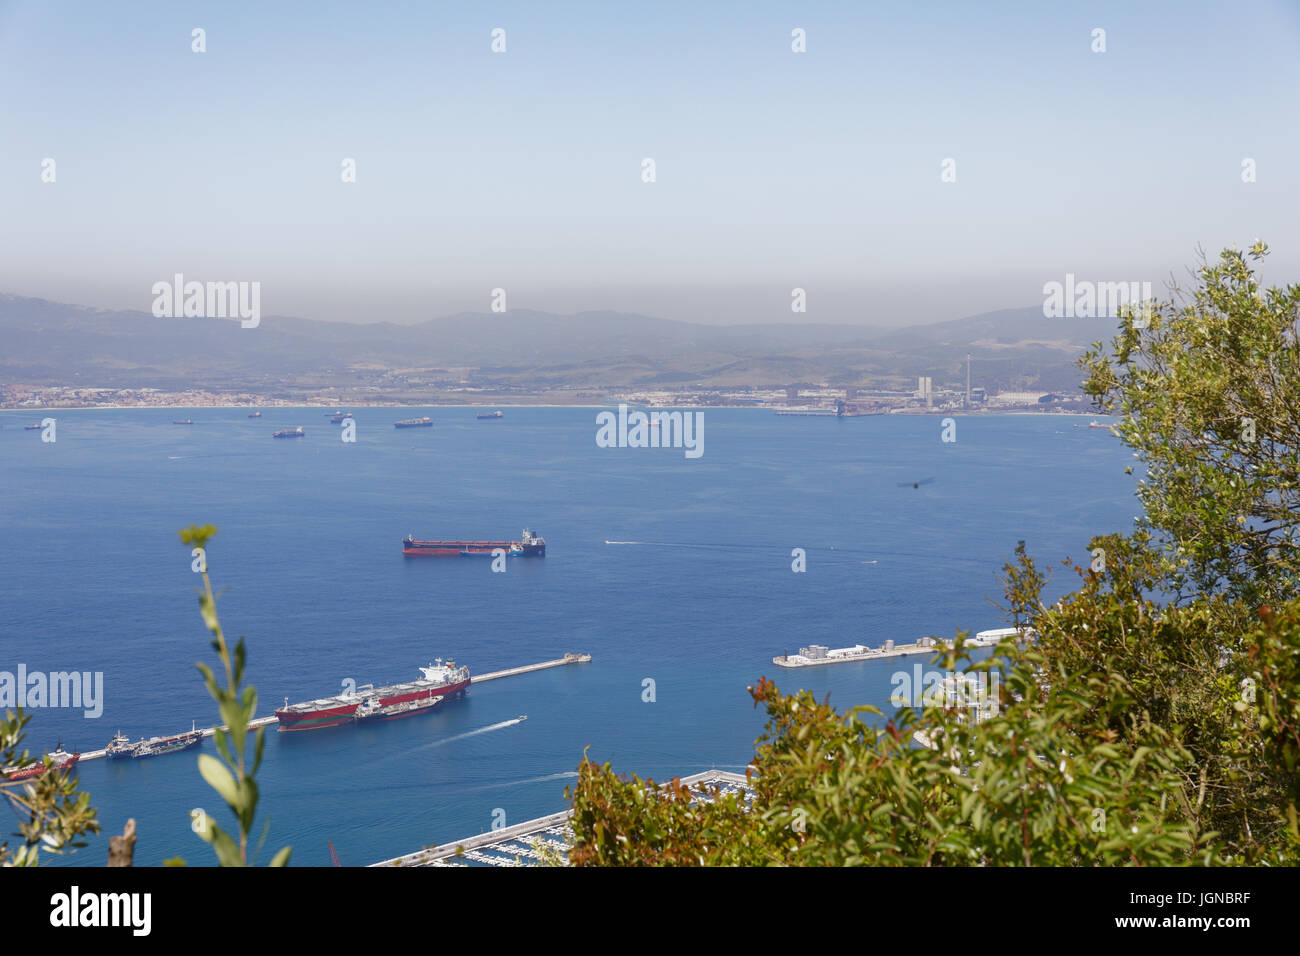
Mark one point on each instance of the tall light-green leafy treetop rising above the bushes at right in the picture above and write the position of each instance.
(1210, 400)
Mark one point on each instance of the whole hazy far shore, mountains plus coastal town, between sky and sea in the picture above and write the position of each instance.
(71, 357)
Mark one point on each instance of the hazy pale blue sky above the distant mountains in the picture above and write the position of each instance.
(523, 170)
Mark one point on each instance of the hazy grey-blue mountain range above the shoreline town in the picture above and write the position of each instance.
(46, 343)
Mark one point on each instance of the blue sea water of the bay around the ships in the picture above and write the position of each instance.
(699, 596)
